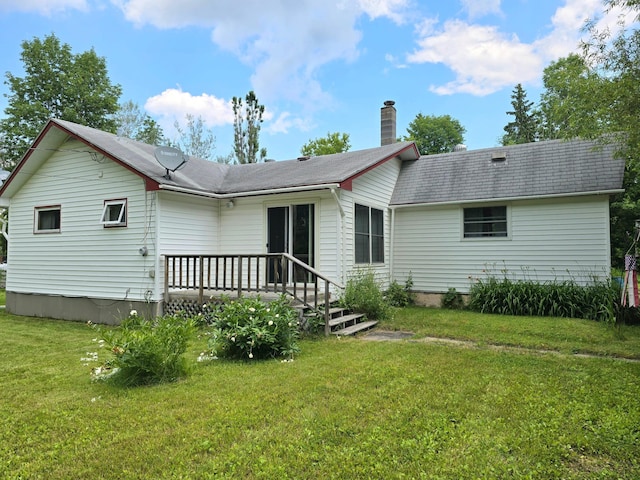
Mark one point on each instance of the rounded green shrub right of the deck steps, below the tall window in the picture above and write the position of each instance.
(363, 294)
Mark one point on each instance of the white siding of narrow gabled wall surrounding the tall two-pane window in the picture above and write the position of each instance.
(373, 189)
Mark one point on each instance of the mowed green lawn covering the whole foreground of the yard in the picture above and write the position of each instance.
(344, 408)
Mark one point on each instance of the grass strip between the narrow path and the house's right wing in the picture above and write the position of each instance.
(543, 333)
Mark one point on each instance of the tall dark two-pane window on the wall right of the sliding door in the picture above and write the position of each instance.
(369, 235)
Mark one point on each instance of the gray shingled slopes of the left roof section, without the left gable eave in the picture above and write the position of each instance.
(211, 177)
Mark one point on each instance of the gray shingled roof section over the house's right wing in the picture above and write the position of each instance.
(530, 170)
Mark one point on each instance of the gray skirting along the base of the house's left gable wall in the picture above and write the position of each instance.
(83, 309)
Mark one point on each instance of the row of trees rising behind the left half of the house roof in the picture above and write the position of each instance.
(76, 87)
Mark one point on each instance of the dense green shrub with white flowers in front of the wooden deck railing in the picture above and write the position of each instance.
(251, 328)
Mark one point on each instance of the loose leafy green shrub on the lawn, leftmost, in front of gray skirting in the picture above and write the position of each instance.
(146, 351)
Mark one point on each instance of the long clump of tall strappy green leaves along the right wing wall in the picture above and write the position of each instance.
(596, 301)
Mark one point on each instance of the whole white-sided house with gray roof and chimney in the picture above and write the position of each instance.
(93, 217)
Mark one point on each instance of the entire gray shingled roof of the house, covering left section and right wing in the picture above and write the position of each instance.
(529, 170)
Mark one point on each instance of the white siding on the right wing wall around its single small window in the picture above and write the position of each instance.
(556, 239)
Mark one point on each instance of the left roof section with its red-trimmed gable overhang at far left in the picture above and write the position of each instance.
(205, 177)
